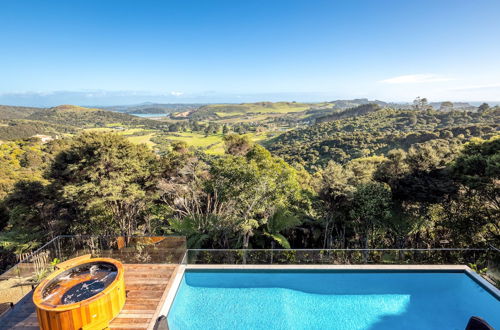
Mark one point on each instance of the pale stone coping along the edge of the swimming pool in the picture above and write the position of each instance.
(412, 268)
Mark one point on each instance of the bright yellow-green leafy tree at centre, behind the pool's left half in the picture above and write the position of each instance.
(254, 185)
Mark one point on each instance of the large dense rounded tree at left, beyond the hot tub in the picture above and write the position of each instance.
(105, 180)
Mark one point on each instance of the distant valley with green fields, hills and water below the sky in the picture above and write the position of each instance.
(309, 134)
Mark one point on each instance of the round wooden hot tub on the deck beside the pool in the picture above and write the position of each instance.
(84, 293)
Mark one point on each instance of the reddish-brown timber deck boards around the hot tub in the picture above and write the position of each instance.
(146, 286)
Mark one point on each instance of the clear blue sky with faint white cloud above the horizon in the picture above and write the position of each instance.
(95, 52)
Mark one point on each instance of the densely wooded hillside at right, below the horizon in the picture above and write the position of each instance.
(377, 132)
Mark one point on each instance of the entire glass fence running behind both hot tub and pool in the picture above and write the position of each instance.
(19, 280)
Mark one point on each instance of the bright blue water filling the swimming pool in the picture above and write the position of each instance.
(242, 299)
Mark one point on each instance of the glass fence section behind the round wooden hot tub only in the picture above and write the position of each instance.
(19, 280)
